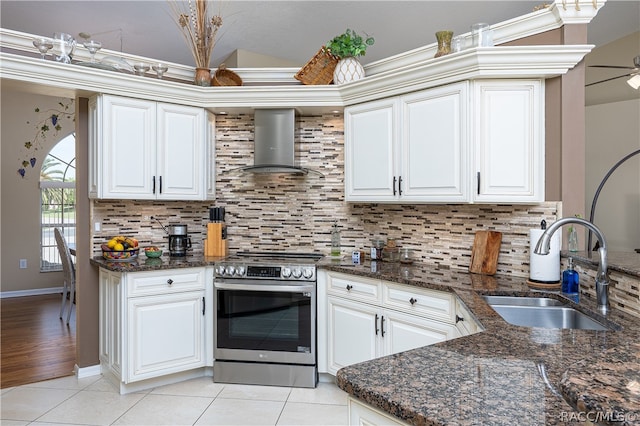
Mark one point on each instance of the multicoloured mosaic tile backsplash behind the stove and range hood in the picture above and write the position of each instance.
(287, 212)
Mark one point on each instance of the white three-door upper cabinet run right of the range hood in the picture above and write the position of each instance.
(479, 141)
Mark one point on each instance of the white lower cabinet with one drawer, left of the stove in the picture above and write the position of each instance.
(154, 324)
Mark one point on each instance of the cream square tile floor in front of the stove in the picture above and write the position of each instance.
(95, 401)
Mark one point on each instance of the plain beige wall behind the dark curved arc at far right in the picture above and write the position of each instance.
(613, 131)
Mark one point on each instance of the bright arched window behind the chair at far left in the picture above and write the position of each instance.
(57, 201)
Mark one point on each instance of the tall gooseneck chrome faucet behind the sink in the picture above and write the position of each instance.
(602, 280)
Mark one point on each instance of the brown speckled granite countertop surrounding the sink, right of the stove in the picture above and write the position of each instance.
(505, 374)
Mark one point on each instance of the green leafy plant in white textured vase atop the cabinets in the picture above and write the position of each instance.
(348, 46)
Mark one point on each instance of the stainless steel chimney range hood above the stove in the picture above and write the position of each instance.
(274, 149)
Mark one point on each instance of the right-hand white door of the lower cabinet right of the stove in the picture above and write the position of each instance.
(403, 332)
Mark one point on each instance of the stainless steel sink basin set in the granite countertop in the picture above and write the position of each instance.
(541, 312)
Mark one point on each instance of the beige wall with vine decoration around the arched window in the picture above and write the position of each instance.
(21, 196)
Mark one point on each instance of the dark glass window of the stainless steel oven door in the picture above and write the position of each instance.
(263, 320)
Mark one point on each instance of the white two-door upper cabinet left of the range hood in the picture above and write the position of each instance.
(146, 150)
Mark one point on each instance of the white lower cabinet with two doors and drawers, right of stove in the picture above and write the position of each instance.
(359, 331)
